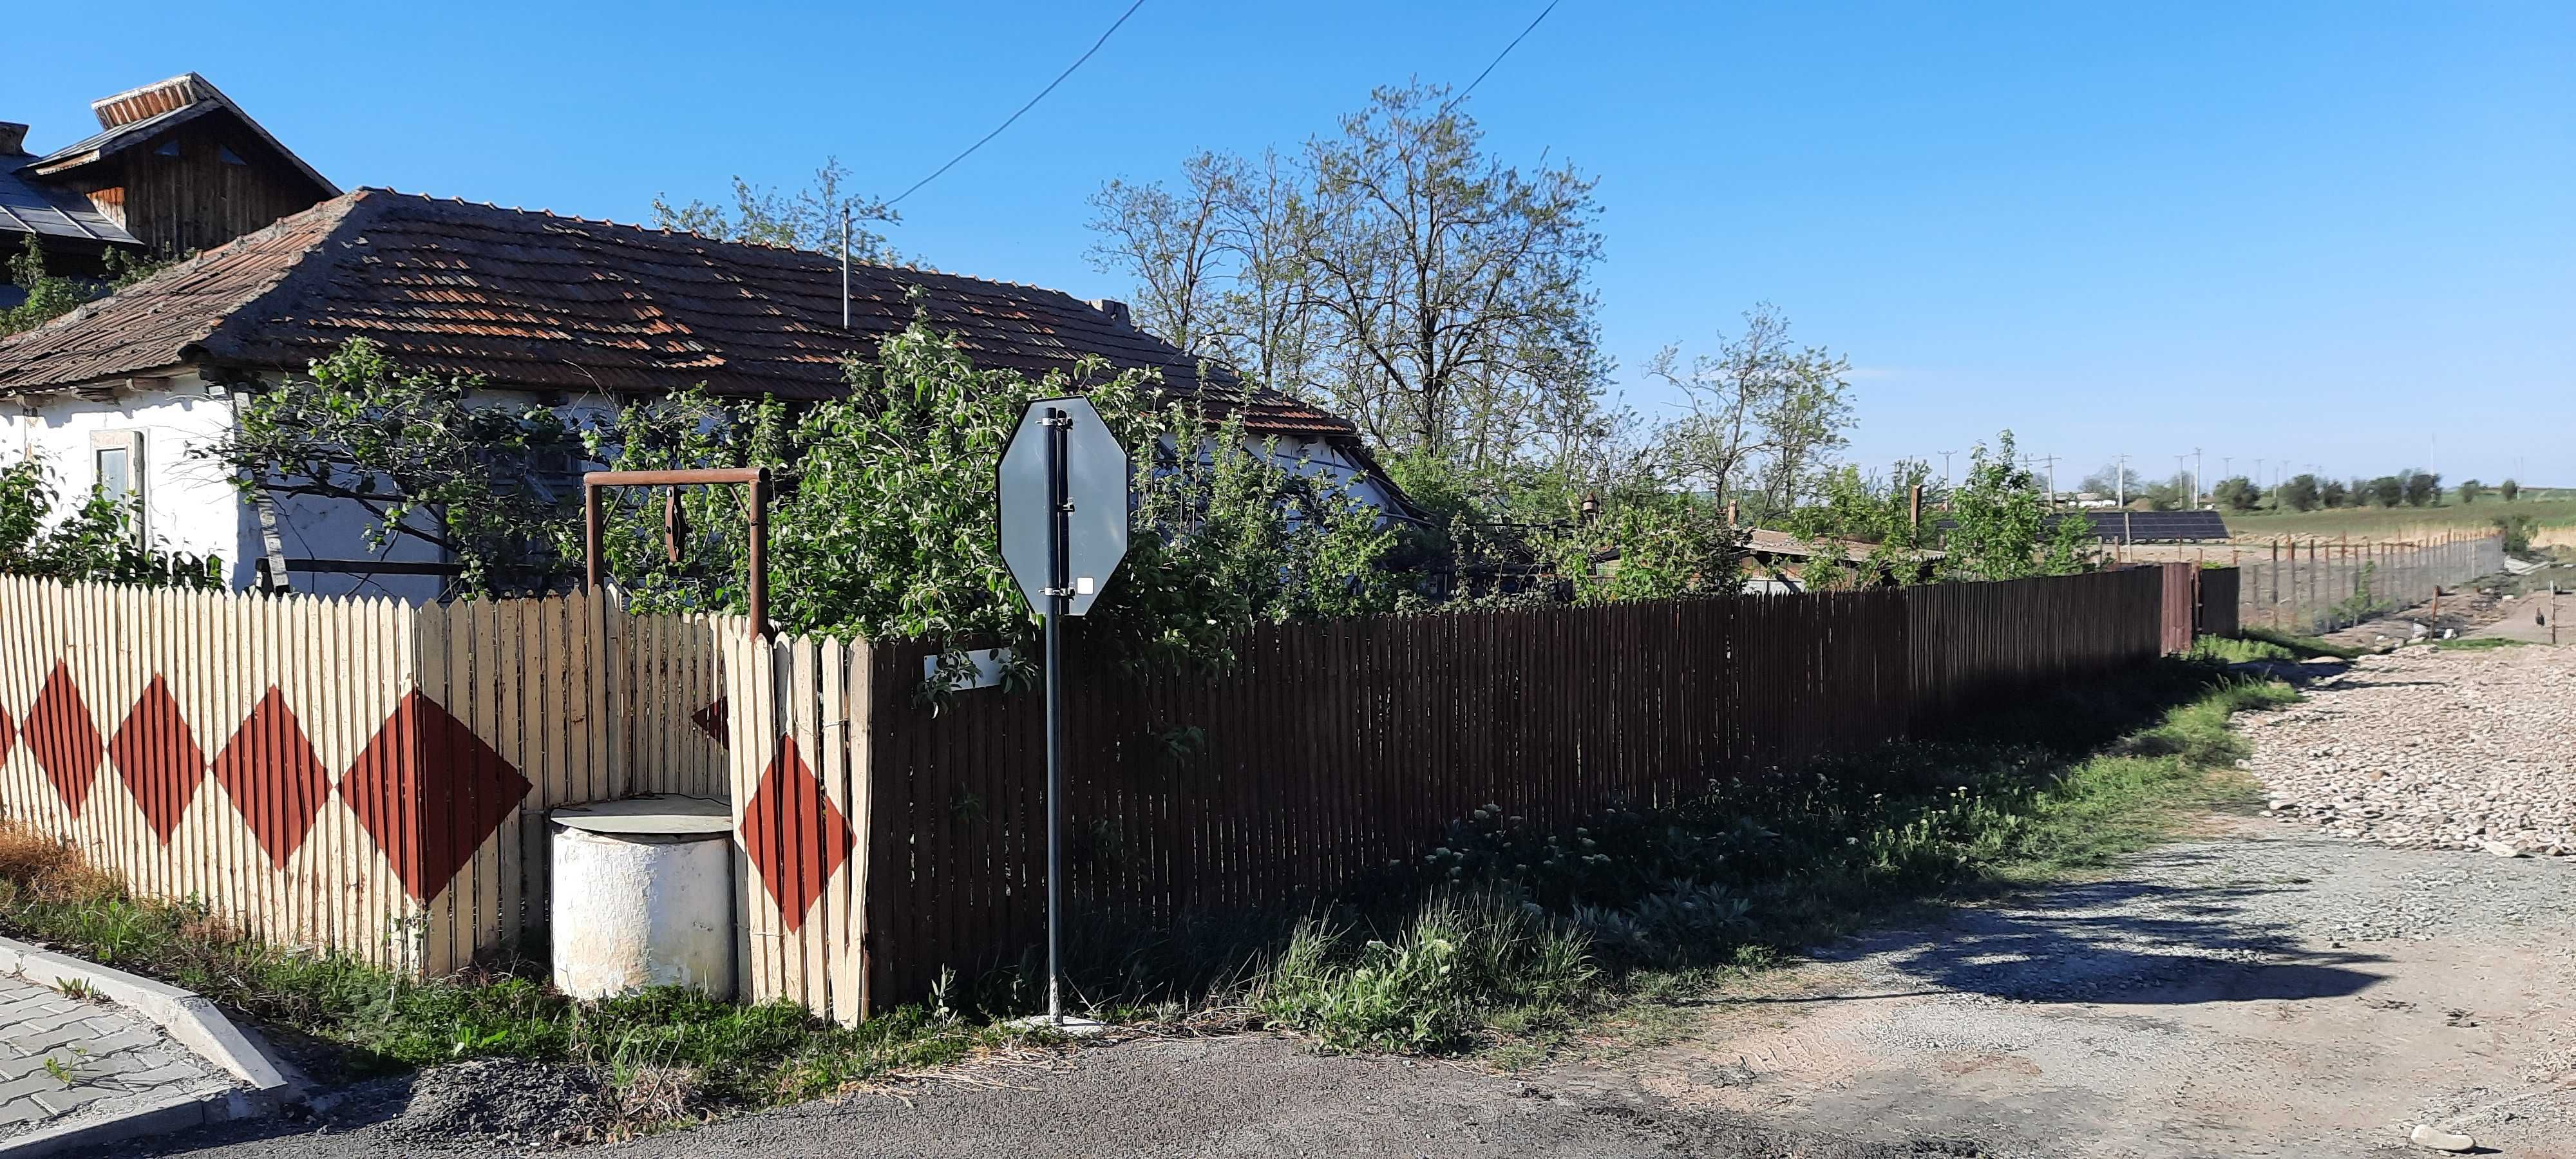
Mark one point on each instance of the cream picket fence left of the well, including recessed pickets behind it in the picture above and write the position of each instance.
(344, 774)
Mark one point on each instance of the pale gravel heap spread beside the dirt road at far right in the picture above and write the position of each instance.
(2425, 748)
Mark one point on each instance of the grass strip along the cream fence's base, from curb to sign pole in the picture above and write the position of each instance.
(674, 1055)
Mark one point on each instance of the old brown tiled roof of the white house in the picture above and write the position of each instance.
(540, 300)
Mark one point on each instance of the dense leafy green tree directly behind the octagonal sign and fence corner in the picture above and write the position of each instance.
(887, 511)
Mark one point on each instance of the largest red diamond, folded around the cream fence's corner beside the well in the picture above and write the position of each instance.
(429, 792)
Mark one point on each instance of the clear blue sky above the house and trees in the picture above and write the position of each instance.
(2320, 233)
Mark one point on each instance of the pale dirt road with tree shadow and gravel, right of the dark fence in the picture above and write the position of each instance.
(2281, 988)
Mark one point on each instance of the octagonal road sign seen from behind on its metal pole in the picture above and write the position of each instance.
(1065, 522)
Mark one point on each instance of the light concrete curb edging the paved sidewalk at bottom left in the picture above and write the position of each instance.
(187, 1019)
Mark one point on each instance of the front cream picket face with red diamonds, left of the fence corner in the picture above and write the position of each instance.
(194, 743)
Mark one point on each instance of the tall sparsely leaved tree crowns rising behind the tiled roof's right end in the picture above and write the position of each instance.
(1392, 269)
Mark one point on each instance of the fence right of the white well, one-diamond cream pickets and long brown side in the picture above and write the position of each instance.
(887, 841)
